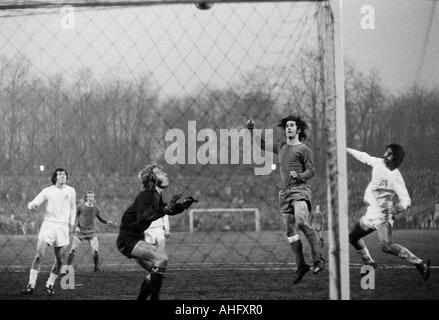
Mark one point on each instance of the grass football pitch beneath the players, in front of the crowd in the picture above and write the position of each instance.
(221, 265)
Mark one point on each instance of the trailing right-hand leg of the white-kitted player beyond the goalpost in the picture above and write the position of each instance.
(384, 235)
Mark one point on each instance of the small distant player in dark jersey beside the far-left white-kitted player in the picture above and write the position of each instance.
(85, 229)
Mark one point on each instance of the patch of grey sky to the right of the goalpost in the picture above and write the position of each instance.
(395, 46)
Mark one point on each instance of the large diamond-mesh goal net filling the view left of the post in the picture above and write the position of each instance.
(103, 88)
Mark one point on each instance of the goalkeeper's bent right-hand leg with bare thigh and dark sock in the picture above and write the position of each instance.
(159, 258)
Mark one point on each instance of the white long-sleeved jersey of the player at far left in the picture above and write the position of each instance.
(60, 204)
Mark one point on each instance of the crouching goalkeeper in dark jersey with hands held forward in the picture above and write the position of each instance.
(147, 207)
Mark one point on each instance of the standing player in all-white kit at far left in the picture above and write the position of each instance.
(59, 218)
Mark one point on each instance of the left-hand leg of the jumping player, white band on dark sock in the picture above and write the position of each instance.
(296, 246)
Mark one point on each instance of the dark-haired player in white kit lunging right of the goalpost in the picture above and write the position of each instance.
(386, 184)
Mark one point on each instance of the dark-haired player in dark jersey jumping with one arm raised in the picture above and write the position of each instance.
(296, 168)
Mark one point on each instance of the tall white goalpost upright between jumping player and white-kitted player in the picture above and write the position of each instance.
(336, 167)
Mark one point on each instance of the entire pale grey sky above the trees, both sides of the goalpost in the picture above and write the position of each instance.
(184, 47)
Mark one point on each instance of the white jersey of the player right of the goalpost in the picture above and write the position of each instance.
(384, 185)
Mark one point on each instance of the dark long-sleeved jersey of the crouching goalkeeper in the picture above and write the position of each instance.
(147, 207)
